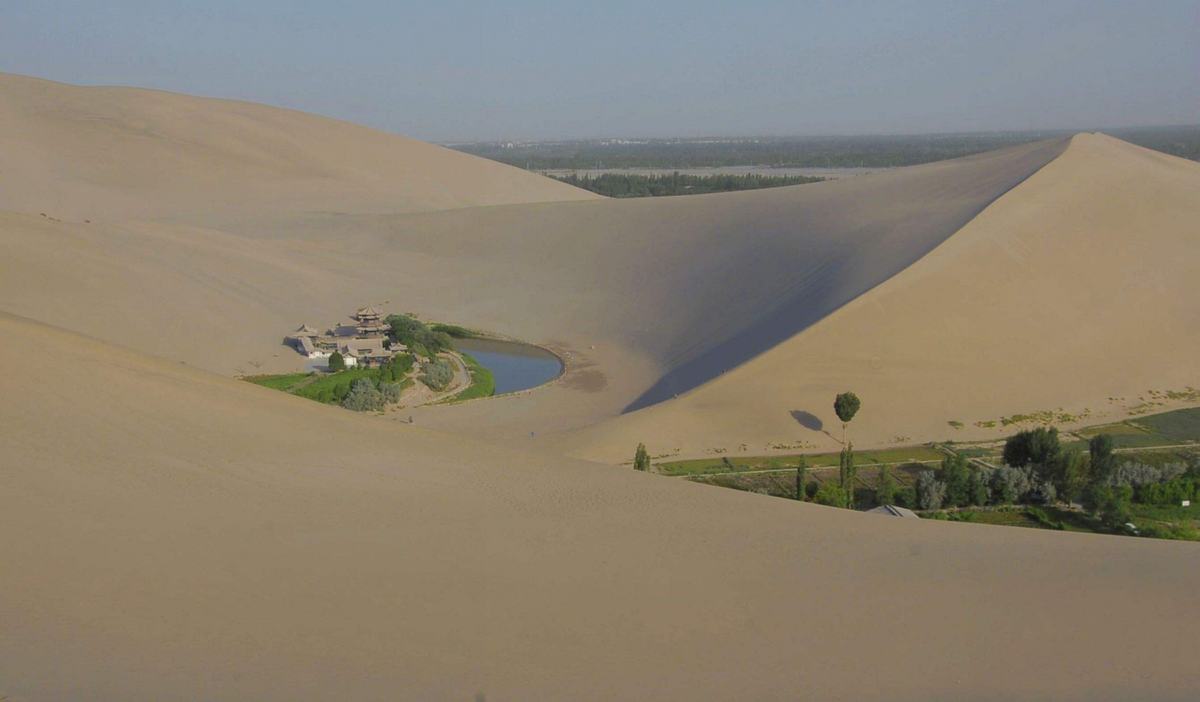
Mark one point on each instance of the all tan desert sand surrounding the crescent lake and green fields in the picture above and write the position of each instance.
(175, 533)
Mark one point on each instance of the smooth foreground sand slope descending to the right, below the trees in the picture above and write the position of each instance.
(173, 535)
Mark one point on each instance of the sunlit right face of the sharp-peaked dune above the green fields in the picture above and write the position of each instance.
(1075, 292)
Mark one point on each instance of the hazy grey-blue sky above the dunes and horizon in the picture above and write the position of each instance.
(449, 71)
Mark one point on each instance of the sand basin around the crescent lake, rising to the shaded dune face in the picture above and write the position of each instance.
(669, 292)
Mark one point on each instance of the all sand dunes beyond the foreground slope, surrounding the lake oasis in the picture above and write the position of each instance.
(1003, 284)
